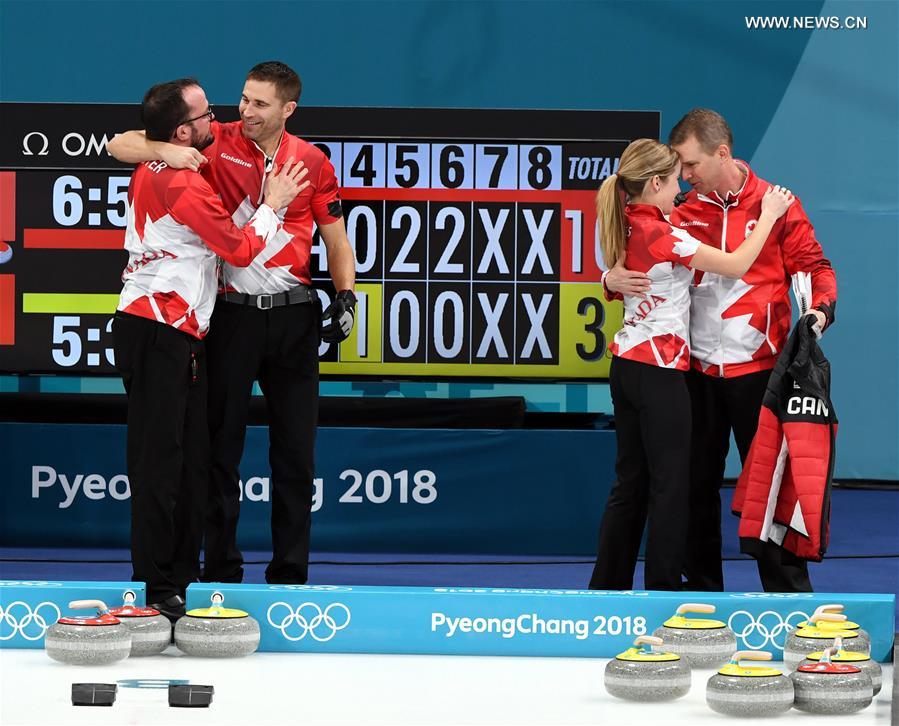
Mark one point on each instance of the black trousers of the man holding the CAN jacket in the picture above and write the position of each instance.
(719, 406)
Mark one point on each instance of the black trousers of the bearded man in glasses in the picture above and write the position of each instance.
(164, 372)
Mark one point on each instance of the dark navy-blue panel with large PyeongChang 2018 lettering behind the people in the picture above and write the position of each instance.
(376, 490)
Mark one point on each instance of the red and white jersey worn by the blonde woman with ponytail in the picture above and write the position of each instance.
(656, 329)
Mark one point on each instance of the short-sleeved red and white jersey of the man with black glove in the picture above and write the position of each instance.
(237, 169)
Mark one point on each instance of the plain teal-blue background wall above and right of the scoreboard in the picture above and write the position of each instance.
(814, 109)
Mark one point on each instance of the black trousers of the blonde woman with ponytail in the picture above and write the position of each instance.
(652, 431)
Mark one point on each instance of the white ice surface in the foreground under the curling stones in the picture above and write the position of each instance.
(299, 689)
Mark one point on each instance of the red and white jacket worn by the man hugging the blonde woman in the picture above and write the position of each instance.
(740, 326)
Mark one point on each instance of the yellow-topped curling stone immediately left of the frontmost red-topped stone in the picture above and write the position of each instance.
(738, 690)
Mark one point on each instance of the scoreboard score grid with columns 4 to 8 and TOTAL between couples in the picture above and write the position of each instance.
(473, 257)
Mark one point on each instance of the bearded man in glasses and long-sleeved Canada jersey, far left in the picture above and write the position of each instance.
(175, 229)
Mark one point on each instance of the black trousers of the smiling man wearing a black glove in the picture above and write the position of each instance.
(279, 348)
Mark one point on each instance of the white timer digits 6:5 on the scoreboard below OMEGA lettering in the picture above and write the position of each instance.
(71, 198)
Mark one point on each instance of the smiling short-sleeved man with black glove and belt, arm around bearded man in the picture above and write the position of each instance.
(267, 321)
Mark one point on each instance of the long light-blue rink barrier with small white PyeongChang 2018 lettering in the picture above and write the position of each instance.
(521, 622)
